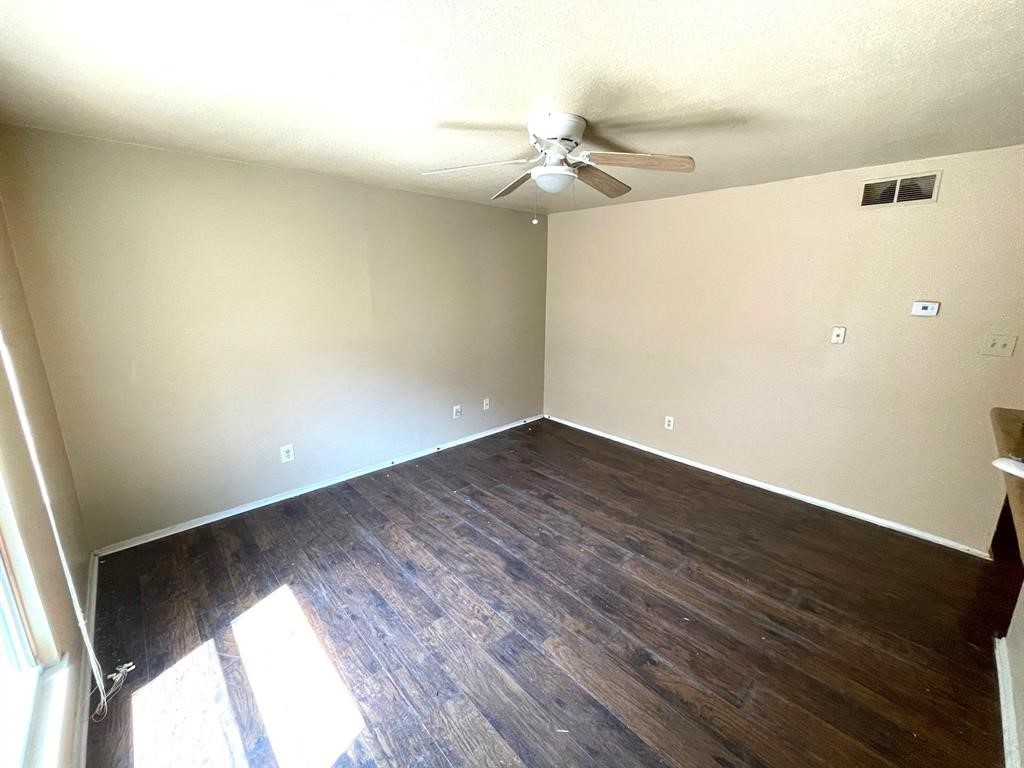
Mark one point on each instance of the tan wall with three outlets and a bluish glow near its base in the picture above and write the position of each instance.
(195, 315)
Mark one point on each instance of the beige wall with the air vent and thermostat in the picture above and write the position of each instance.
(716, 309)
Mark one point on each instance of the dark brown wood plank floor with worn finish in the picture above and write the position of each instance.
(544, 598)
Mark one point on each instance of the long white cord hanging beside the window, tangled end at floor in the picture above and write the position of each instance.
(118, 677)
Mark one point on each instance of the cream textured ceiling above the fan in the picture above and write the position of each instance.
(370, 91)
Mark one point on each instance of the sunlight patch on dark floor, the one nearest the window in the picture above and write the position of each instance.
(185, 717)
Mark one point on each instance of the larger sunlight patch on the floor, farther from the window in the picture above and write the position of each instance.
(311, 716)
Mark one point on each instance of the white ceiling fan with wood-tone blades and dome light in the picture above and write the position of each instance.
(557, 137)
